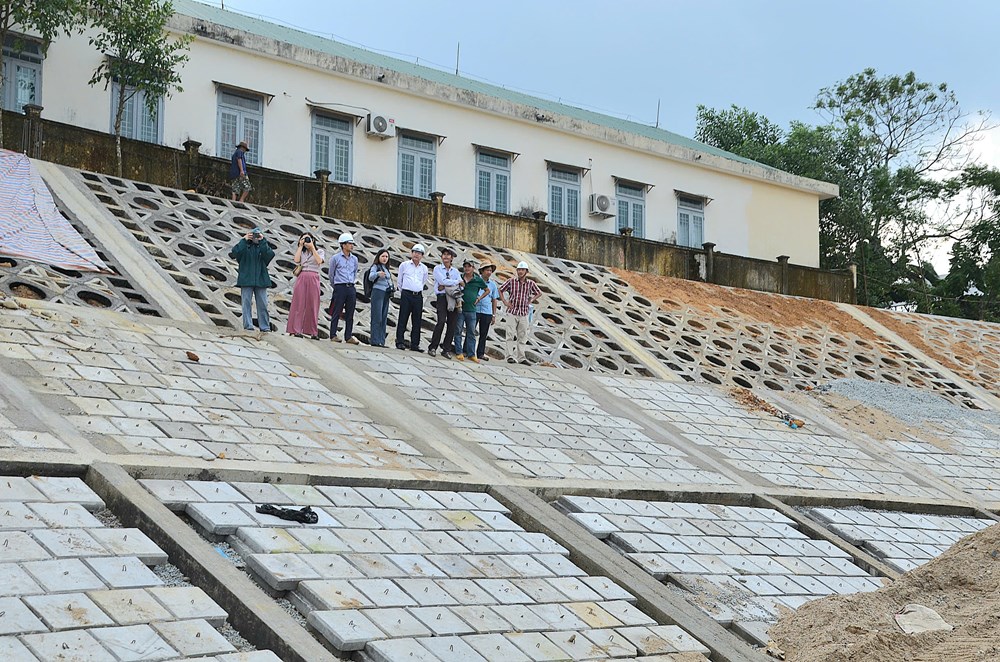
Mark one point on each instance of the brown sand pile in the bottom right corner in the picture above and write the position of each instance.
(962, 585)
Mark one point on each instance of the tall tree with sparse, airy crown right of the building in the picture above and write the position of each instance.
(914, 143)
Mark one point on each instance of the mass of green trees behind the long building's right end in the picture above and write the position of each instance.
(899, 149)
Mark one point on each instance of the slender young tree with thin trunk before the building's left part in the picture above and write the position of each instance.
(139, 55)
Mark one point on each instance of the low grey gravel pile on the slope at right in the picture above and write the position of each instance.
(910, 405)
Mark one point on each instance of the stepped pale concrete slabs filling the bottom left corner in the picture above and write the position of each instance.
(78, 593)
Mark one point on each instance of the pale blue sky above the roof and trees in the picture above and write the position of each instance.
(626, 57)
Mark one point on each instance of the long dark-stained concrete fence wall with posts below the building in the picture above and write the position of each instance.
(189, 169)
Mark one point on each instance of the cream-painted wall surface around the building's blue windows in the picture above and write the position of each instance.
(745, 216)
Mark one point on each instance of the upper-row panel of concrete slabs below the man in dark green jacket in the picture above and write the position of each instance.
(251, 404)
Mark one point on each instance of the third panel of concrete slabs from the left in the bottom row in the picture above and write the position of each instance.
(738, 563)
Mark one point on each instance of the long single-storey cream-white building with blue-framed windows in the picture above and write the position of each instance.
(305, 102)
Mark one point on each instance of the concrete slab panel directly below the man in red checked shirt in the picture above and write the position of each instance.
(559, 432)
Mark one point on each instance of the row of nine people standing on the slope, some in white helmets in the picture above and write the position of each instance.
(466, 301)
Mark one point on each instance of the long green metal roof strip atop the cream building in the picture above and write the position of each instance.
(302, 39)
